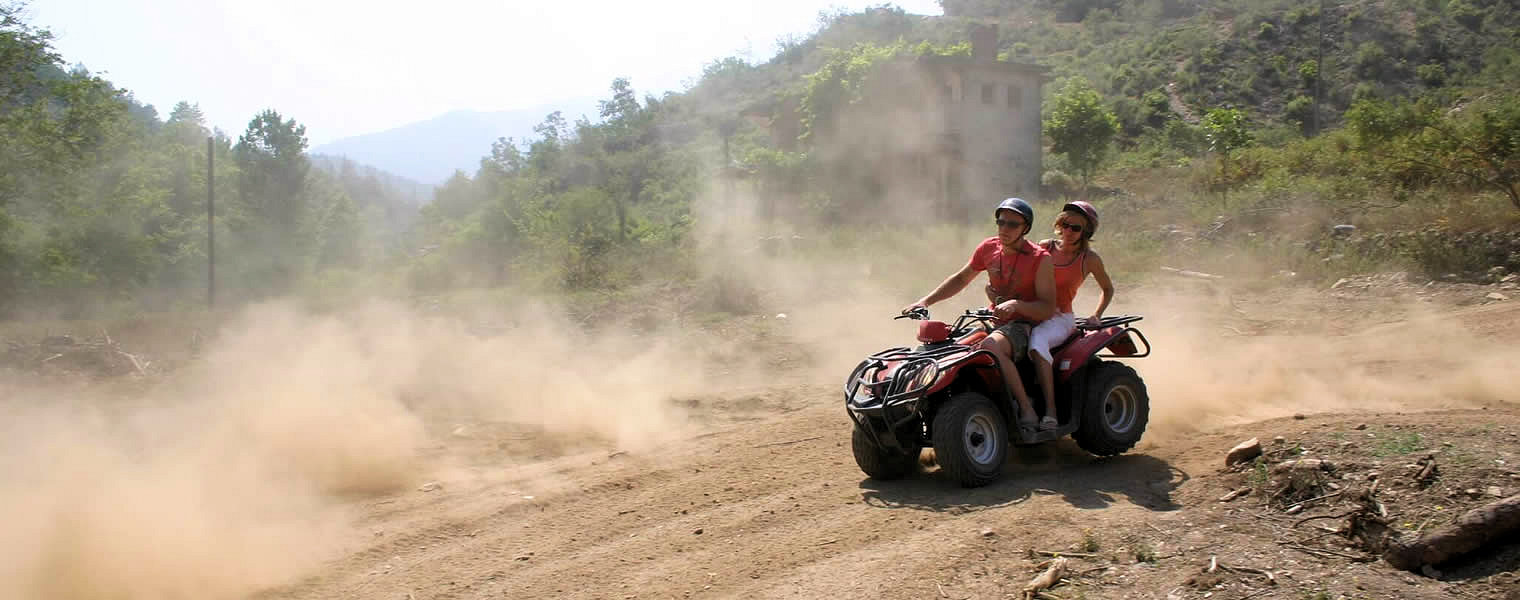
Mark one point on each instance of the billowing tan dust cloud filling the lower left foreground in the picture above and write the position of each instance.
(236, 472)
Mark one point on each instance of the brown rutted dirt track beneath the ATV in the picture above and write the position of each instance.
(768, 504)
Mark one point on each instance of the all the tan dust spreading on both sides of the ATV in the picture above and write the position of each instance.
(239, 472)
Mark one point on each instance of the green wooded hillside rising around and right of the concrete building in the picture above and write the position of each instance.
(1185, 115)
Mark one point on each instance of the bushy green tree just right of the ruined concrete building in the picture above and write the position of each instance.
(1081, 128)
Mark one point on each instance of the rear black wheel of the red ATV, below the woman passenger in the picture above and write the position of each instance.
(1115, 411)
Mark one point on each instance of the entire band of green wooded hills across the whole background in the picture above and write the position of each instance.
(1229, 116)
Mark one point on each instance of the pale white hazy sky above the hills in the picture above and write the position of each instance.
(346, 68)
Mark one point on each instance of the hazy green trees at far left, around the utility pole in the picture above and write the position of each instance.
(104, 201)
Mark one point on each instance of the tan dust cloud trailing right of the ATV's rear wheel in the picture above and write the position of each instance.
(1203, 374)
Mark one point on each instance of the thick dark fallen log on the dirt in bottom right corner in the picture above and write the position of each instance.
(1475, 529)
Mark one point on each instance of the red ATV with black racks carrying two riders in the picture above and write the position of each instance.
(949, 396)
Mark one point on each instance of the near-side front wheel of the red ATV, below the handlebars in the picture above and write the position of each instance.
(971, 440)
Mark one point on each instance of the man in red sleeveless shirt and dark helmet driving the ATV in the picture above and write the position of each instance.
(1022, 274)
